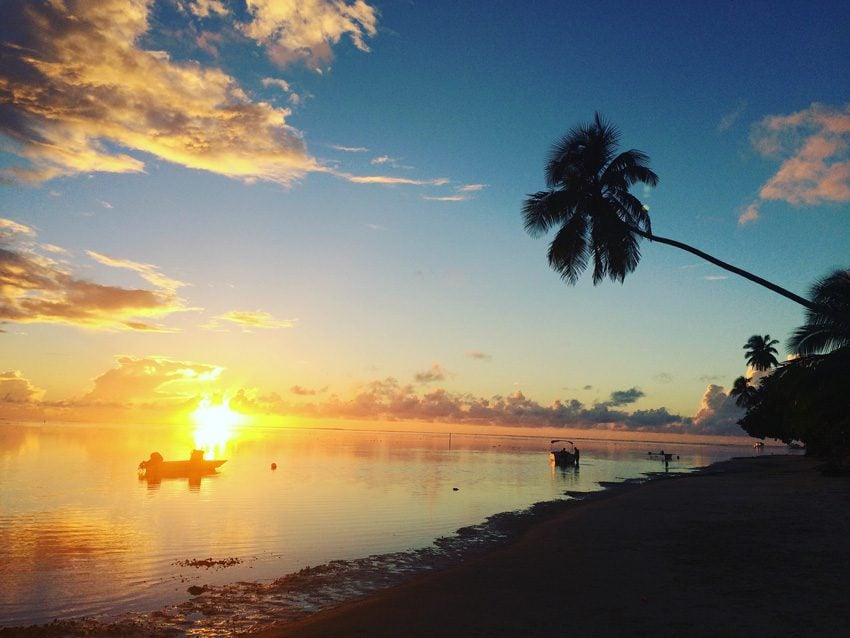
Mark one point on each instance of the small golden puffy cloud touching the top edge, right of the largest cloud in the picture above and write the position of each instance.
(305, 31)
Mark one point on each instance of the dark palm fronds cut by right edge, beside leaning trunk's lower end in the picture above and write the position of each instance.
(827, 326)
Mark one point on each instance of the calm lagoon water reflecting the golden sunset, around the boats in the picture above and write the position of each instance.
(81, 534)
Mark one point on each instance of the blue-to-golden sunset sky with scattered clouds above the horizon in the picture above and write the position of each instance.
(310, 211)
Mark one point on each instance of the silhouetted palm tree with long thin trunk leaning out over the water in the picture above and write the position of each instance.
(598, 219)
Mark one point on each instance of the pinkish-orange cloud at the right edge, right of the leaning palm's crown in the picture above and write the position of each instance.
(814, 146)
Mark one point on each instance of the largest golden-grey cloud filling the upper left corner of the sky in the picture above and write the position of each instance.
(80, 94)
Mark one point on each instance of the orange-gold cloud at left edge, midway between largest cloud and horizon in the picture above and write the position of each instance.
(38, 289)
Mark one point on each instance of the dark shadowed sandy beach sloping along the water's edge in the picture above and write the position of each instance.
(751, 547)
